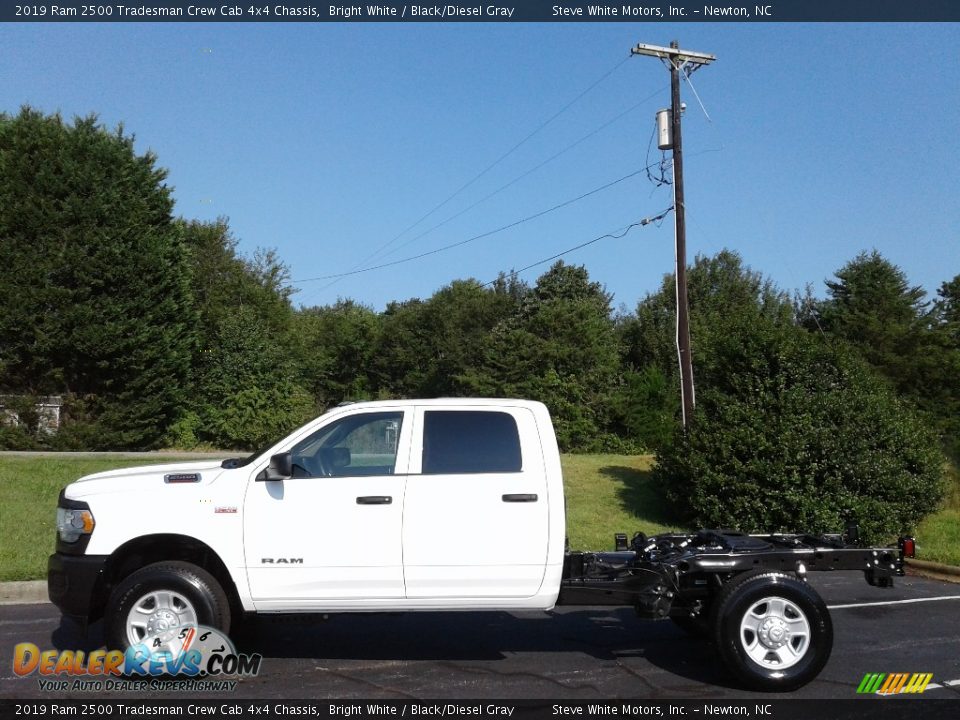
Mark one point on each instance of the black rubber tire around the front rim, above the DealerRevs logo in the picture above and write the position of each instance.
(192, 586)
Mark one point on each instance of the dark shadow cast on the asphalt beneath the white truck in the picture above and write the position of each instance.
(602, 639)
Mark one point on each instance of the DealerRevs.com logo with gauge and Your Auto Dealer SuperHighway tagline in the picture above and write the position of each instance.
(199, 658)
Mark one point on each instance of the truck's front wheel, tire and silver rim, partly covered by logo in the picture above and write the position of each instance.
(156, 605)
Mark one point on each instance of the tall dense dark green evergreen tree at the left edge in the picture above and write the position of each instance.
(94, 288)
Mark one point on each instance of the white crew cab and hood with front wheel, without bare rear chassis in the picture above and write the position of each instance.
(393, 505)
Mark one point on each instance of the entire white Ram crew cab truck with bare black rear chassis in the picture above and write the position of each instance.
(422, 505)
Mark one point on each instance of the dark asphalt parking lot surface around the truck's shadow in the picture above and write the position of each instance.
(572, 653)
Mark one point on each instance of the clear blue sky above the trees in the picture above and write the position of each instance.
(326, 141)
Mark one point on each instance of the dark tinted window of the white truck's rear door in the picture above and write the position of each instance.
(471, 441)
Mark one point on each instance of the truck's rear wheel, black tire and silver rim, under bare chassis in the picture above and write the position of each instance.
(772, 631)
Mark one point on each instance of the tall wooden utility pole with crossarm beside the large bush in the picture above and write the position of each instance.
(679, 61)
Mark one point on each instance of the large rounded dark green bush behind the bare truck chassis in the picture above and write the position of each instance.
(796, 435)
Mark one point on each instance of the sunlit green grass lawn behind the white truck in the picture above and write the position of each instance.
(605, 494)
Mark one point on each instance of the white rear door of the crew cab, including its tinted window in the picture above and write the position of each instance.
(475, 520)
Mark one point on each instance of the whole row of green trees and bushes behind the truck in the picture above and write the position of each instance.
(158, 332)
